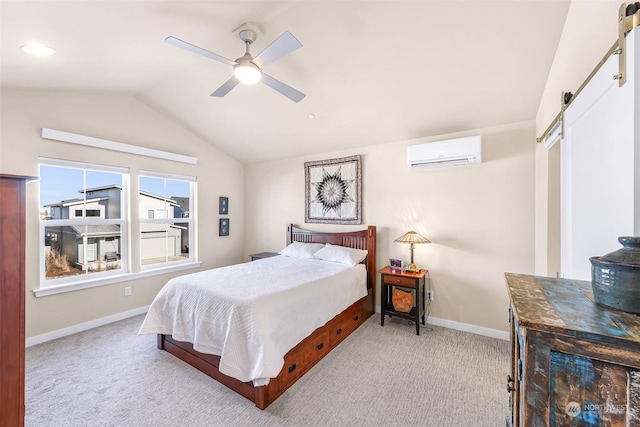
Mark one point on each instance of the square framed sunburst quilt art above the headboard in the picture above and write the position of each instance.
(333, 191)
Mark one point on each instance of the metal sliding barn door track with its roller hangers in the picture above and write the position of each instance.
(628, 19)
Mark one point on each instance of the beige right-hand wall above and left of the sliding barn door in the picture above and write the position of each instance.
(590, 30)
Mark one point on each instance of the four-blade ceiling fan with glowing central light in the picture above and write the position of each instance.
(248, 69)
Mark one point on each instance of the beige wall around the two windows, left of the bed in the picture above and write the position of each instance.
(122, 119)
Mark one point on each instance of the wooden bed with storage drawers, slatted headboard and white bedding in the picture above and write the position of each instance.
(324, 331)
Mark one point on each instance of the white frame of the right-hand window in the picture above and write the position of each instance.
(189, 219)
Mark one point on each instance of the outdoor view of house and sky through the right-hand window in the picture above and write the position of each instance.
(166, 228)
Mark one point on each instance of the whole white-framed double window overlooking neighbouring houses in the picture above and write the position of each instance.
(84, 225)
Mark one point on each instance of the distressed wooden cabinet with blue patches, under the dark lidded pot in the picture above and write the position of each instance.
(574, 362)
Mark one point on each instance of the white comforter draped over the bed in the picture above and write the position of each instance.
(252, 314)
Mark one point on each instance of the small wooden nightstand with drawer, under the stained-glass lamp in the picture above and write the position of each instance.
(391, 278)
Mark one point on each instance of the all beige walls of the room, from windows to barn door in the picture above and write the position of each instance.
(480, 217)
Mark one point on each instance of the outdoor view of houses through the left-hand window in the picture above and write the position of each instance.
(82, 220)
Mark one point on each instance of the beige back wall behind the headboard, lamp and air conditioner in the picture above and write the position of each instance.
(479, 217)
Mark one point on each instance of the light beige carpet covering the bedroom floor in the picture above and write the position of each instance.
(379, 376)
